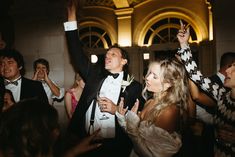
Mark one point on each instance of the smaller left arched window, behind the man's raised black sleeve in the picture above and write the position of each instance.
(94, 37)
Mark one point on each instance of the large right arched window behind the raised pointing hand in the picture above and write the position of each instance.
(165, 31)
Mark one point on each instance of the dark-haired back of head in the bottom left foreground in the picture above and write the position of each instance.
(26, 128)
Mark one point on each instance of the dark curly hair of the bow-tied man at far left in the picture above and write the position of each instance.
(17, 56)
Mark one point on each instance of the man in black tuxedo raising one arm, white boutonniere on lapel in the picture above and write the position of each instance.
(88, 116)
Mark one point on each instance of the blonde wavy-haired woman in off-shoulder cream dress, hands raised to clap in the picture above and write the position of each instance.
(156, 130)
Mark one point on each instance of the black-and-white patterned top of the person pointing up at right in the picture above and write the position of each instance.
(225, 111)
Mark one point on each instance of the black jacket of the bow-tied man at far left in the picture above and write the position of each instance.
(32, 89)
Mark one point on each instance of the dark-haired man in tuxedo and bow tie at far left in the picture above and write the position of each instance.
(12, 70)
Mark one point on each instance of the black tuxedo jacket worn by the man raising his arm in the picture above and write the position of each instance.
(93, 76)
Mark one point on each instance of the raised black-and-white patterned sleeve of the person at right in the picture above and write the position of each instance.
(195, 74)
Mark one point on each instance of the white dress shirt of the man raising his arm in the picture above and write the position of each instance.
(111, 89)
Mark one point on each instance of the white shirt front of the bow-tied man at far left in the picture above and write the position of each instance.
(15, 89)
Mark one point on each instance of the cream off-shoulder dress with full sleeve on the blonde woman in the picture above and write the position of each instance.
(148, 140)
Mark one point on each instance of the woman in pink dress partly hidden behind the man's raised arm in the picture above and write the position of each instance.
(73, 95)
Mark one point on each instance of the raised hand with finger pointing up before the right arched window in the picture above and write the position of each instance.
(183, 35)
